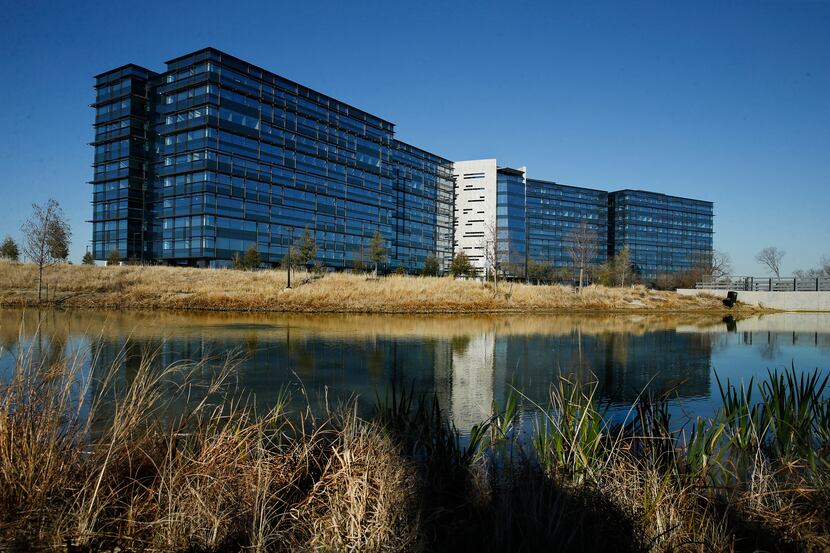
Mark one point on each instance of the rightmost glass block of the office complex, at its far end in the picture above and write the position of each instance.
(665, 234)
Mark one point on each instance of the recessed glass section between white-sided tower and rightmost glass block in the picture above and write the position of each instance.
(554, 212)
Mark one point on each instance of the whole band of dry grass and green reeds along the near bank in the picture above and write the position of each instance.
(151, 463)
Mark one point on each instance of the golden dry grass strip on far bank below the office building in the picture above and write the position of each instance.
(226, 290)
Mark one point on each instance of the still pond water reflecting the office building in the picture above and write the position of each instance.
(468, 362)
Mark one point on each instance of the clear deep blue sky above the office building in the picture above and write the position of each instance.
(722, 101)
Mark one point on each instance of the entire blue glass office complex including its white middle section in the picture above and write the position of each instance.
(195, 164)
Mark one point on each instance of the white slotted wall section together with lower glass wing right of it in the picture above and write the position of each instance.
(533, 220)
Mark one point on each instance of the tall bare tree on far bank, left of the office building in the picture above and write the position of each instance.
(47, 238)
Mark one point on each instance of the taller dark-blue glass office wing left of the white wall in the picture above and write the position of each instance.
(195, 164)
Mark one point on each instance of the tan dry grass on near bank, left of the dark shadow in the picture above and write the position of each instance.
(82, 467)
